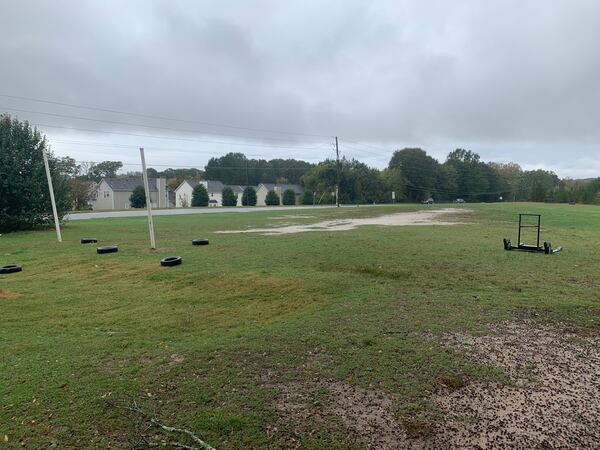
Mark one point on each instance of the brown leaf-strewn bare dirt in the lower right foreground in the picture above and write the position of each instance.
(552, 399)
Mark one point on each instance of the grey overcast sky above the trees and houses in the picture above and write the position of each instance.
(512, 80)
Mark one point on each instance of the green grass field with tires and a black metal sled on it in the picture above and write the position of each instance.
(210, 345)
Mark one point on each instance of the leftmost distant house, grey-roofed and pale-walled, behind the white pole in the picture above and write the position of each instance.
(114, 193)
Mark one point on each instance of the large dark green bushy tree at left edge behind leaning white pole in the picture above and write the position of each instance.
(24, 195)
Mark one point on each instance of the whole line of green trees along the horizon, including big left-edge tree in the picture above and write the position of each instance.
(411, 174)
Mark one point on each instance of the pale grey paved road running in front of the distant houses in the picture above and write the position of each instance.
(178, 211)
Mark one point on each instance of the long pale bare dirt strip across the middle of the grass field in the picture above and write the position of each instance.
(432, 217)
